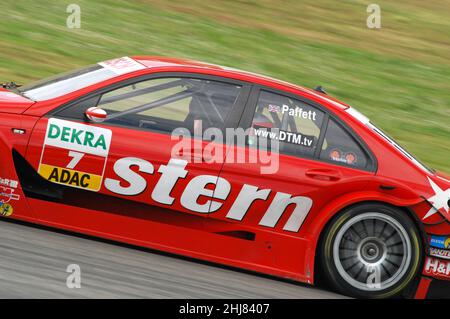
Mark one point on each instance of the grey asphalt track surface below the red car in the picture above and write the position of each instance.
(34, 260)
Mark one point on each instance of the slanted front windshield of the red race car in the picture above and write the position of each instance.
(65, 83)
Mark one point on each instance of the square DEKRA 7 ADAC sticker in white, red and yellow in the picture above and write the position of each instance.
(75, 154)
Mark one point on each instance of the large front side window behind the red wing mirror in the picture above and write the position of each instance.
(164, 104)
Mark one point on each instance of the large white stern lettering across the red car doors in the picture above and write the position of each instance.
(200, 186)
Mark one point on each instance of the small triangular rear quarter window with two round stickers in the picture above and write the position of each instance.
(341, 147)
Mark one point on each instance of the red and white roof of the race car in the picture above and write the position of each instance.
(158, 62)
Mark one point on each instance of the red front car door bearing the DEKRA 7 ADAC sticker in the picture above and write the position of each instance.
(130, 168)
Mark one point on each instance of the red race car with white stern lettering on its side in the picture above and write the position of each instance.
(138, 150)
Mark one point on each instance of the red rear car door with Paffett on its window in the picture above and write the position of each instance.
(298, 158)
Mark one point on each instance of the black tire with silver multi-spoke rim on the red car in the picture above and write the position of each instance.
(371, 251)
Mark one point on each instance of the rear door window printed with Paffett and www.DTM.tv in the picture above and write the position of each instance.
(294, 124)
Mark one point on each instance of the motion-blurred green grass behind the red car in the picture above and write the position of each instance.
(397, 75)
